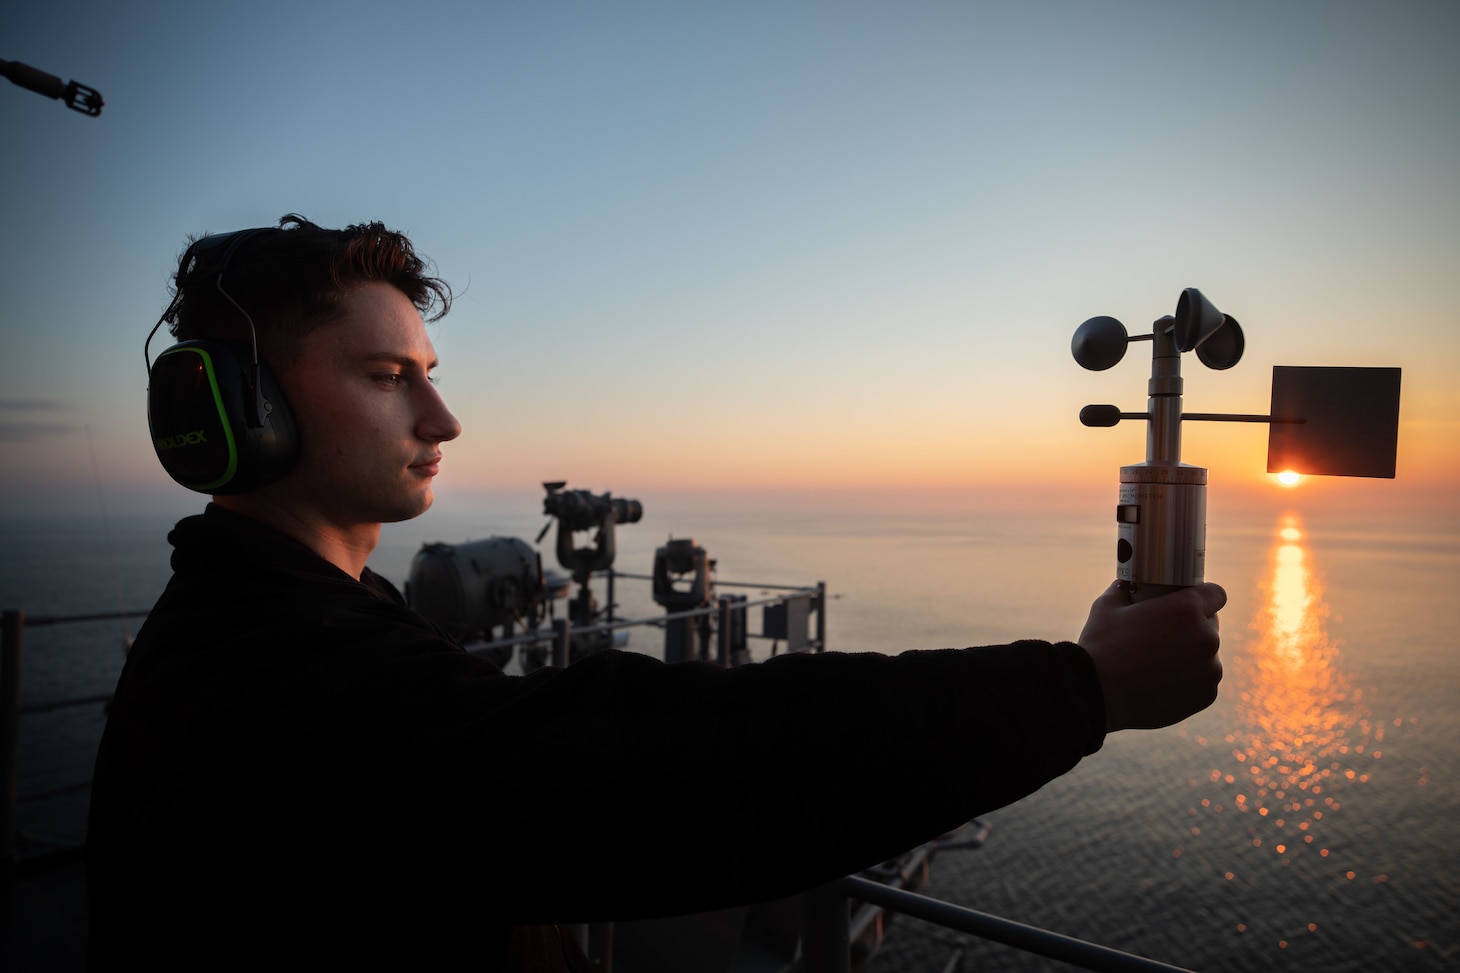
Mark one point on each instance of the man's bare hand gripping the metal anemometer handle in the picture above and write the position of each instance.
(1157, 660)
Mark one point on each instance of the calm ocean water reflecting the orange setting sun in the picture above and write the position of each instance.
(1310, 820)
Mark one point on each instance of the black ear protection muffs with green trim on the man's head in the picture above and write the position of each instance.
(218, 419)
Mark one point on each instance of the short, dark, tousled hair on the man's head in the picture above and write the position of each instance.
(290, 281)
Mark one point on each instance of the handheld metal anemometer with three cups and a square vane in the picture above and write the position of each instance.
(1323, 421)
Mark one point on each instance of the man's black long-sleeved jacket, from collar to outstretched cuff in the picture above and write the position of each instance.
(300, 768)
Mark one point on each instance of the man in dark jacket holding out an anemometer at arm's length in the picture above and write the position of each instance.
(299, 769)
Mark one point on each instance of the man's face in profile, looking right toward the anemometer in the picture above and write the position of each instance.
(372, 423)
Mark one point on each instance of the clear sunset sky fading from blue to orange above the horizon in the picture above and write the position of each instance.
(758, 248)
